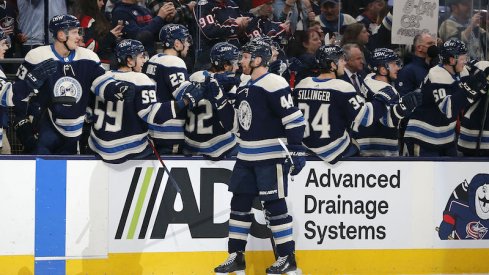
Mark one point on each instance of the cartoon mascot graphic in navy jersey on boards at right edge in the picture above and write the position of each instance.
(466, 215)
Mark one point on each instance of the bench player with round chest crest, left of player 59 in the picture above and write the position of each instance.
(64, 95)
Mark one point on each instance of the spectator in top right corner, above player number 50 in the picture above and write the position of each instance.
(462, 26)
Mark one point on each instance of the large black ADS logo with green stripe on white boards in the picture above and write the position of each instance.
(199, 218)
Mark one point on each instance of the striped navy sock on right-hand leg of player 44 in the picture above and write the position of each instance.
(281, 226)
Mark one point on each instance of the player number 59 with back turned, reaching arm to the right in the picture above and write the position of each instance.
(120, 129)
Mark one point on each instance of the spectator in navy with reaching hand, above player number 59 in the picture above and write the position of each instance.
(138, 22)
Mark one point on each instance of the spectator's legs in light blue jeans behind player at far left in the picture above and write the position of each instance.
(33, 24)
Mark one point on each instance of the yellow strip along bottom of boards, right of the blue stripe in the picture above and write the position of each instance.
(334, 262)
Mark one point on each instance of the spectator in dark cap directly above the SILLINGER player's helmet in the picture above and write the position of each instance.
(331, 19)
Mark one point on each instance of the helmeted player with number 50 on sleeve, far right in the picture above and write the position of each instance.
(447, 89)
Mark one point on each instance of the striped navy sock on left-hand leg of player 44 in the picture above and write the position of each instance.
(239, 221)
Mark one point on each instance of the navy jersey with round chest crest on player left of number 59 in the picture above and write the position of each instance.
(76, 75)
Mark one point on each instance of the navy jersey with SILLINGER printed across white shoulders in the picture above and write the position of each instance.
(331, 107)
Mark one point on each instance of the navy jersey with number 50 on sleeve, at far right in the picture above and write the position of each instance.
(433, 123)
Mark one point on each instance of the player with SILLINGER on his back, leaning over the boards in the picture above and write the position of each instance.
(331, 106)
